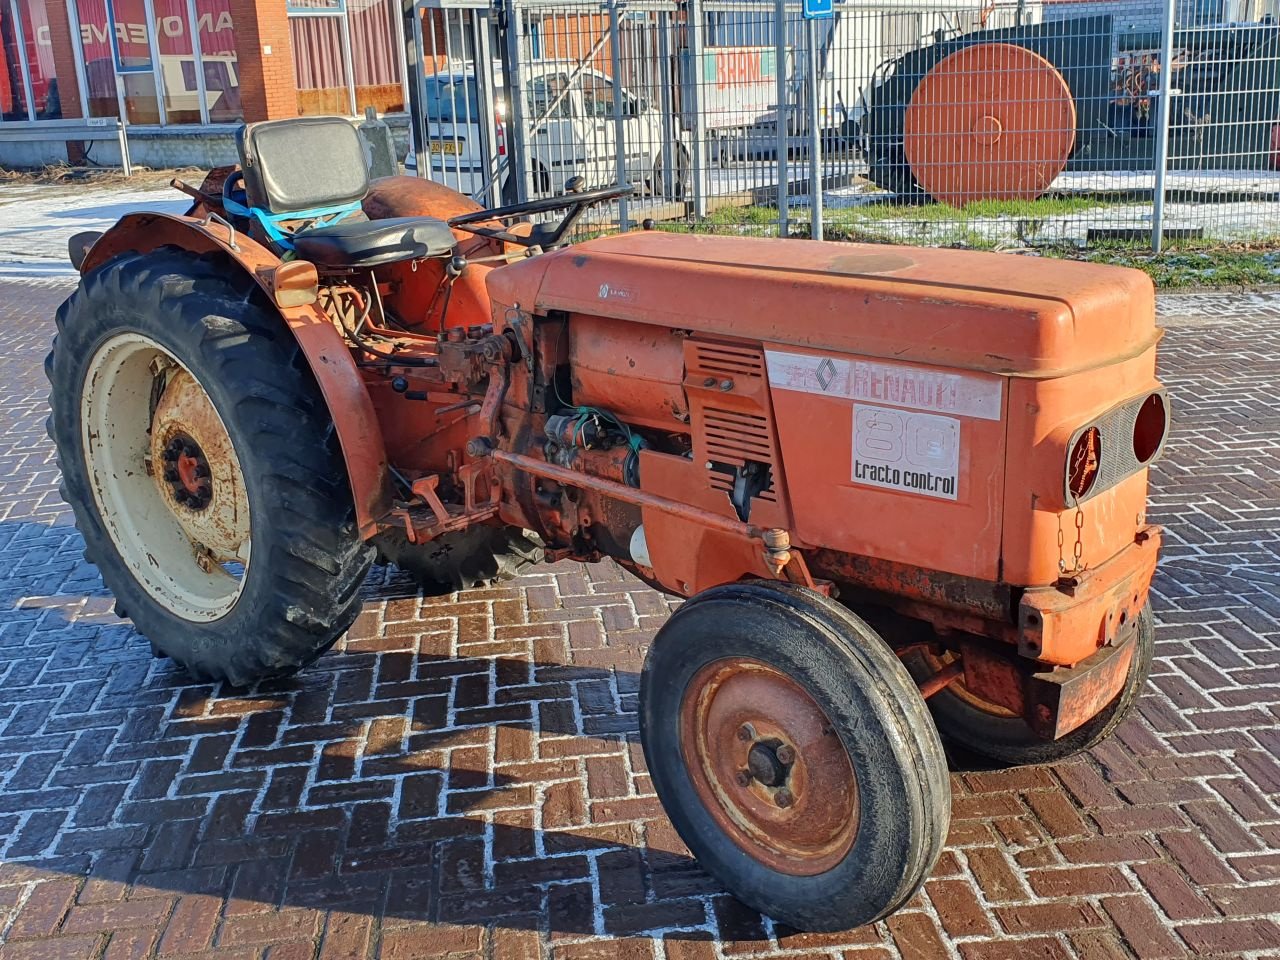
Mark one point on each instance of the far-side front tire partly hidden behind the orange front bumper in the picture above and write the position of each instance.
(1007, 740)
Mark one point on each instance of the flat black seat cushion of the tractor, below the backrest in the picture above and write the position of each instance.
(372, 243)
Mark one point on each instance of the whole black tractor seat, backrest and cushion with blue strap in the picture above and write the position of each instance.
(314, 170)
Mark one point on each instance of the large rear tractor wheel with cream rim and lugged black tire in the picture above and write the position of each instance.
(232, 545)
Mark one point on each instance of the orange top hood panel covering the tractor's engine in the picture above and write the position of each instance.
(998, 313)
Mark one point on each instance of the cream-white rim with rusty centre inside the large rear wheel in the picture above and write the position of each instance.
(185, 536)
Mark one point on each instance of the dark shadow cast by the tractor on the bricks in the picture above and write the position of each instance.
(362, 785)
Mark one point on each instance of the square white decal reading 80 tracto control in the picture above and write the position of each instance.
(903, 451)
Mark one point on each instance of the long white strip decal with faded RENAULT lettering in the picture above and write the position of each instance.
(898, 385)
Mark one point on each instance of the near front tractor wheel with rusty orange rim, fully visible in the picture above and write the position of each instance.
(794, 755)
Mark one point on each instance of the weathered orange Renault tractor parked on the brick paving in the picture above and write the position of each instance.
(906, 491)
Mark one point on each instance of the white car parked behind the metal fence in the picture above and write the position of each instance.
(573, 134)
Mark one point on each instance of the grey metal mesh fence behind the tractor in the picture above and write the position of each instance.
(945, 122)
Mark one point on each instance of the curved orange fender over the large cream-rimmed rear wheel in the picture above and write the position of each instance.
(324, 349)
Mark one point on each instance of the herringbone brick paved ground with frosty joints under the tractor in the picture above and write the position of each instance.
(463, 776)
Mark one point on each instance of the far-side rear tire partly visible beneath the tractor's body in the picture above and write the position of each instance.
(467, 559)
